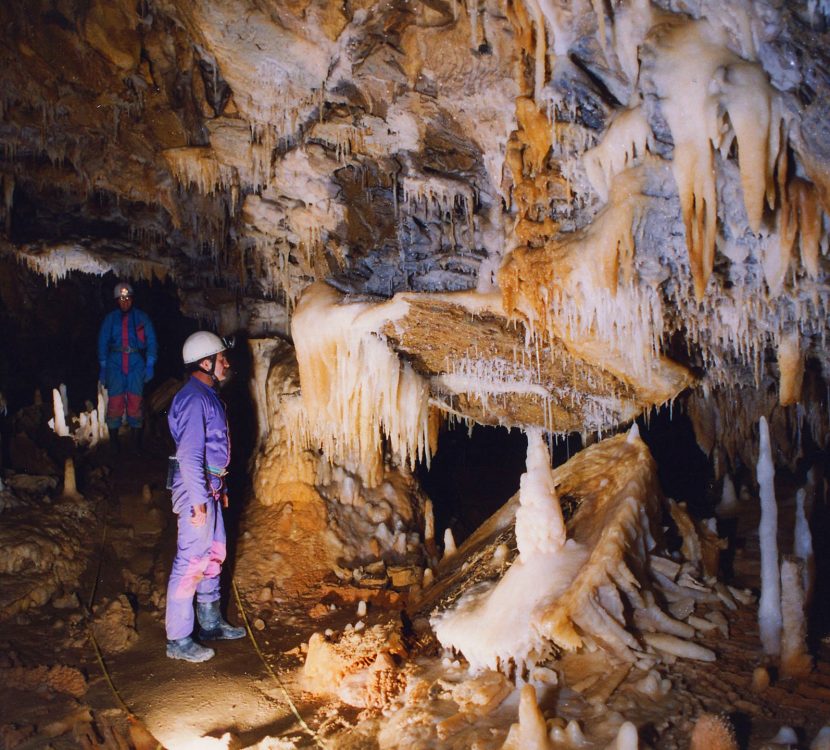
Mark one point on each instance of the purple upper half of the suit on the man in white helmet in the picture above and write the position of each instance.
(203, 449)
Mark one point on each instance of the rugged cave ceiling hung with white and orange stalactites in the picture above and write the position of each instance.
(647, 188)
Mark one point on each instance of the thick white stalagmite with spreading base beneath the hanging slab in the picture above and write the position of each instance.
(498, 625)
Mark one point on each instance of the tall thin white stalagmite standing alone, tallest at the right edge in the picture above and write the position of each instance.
(769, 606)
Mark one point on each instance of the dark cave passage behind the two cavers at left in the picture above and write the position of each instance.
(50, 334)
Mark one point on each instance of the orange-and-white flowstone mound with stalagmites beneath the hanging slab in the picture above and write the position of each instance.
(619, 606)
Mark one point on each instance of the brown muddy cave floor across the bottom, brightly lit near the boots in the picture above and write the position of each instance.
(179, 703)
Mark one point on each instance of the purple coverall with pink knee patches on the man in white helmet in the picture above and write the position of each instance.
(200, 429)
